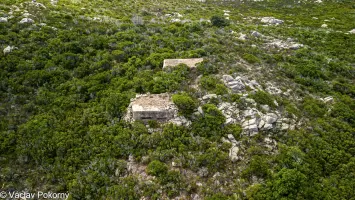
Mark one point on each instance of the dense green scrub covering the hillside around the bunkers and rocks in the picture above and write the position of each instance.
(65, 89)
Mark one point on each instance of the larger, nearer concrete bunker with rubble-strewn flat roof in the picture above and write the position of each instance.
(151, 107)
